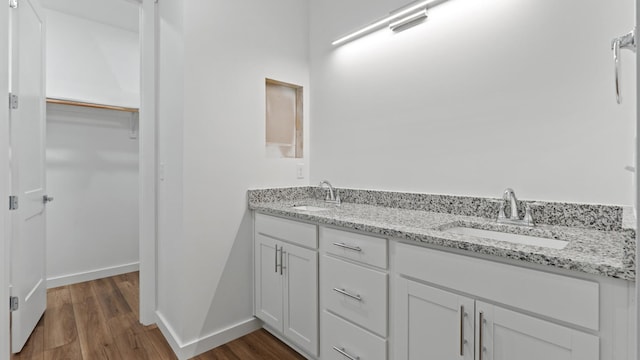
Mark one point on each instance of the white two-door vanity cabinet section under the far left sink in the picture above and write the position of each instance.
(286, 279)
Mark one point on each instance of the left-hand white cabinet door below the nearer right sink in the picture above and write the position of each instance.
(432, 323)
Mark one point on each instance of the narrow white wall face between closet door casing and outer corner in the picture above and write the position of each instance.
(171, 284)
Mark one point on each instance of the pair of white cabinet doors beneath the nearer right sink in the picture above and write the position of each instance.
(446, 325)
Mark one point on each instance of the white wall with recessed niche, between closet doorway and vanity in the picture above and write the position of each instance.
(212, 145)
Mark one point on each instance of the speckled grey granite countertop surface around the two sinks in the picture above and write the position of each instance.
(601, 252)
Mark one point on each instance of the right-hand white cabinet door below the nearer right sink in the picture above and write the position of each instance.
(507, 335)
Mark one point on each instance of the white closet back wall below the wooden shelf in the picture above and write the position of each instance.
(92, 173)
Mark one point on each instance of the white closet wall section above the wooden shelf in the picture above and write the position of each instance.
(92, 61)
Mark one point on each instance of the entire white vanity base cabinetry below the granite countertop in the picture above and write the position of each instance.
(344, 295)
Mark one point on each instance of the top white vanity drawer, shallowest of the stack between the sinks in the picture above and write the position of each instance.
(365, 249)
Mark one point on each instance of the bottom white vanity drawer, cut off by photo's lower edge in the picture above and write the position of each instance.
(340, 335)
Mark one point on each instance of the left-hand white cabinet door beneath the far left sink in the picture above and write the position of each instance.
(268, 281)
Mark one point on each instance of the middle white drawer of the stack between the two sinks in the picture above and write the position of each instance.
(356, 293)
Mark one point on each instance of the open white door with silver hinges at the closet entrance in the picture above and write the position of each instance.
(27, 170)
